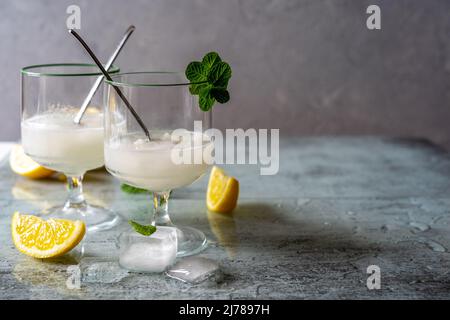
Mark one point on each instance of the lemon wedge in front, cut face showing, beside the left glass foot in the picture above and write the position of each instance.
(40, 238)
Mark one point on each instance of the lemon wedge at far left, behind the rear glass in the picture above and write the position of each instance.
(25, 166)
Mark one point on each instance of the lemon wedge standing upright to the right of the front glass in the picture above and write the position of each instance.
(222, 193)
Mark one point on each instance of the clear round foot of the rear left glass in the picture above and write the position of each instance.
(96, 218)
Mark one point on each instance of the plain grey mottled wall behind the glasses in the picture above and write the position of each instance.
(305, 66)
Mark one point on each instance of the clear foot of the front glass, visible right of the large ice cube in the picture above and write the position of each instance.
(190, 241)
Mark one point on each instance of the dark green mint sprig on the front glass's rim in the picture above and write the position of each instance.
(209, 80)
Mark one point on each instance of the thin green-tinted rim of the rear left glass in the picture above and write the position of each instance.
(28, 70)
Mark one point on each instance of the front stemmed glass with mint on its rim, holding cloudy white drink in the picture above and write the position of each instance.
(163, 101)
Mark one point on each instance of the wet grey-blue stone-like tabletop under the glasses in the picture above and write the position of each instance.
(337, 206)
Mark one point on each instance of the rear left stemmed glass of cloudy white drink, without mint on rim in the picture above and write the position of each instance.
(51, 97)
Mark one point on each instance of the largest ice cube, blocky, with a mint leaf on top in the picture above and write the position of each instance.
(152, 253)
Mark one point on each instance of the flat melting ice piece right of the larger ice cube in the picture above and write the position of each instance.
(193, 269)
